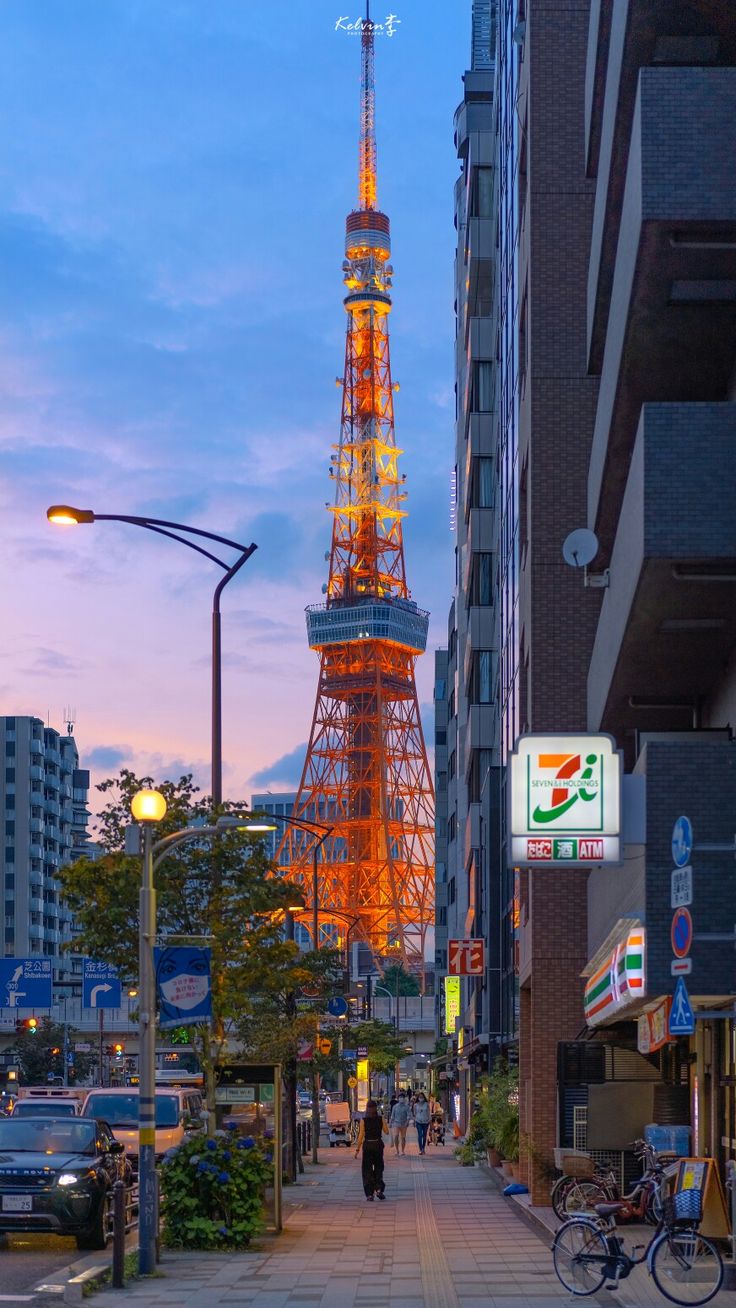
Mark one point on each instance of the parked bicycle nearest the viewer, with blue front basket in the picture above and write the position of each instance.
(684, 1265)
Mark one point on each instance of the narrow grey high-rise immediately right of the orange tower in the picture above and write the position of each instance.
(469, 669)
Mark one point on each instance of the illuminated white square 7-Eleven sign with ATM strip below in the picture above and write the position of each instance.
(565, 801)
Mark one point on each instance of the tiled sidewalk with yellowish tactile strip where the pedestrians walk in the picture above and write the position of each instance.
(446, 1238)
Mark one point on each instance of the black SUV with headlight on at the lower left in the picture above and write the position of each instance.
(57, 1174)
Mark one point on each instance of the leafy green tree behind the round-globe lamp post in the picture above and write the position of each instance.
(219, 893)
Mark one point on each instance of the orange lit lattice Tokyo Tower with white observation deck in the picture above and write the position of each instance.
(367, 774)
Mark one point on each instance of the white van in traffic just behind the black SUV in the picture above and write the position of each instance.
(178, 1114)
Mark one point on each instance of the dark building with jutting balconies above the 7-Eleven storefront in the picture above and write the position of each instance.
(661, 333)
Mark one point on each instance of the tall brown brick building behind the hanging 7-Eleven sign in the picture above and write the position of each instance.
(543, 436)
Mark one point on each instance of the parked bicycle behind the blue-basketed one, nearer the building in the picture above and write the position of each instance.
(573, 1195)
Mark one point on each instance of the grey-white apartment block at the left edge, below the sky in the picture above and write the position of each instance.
(44, 802)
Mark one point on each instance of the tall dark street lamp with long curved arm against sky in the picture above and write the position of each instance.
(65, 515)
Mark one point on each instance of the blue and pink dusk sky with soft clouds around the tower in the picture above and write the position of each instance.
(175, 181)
